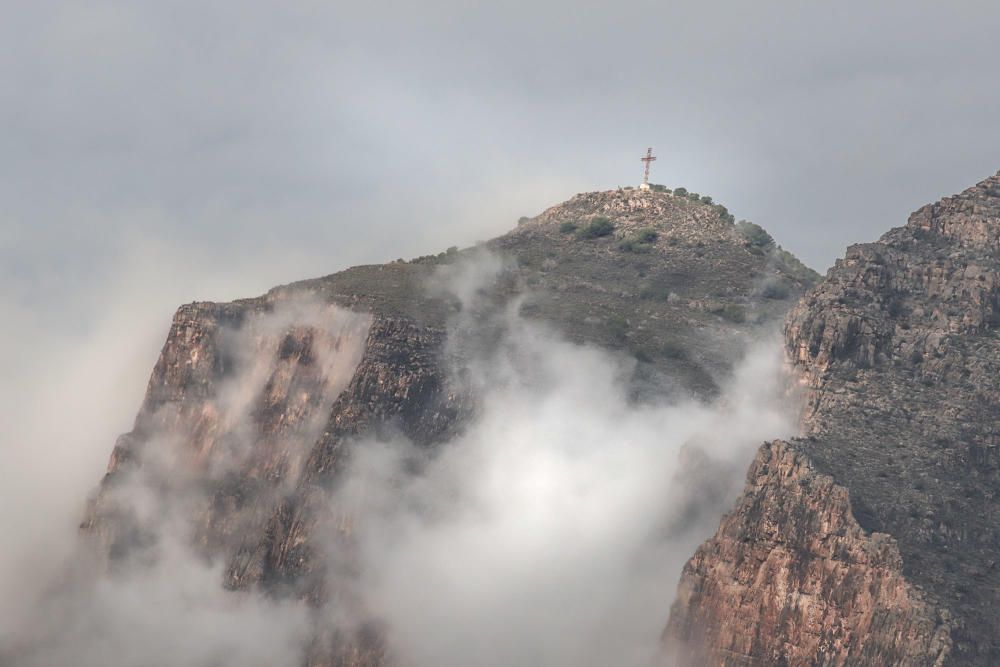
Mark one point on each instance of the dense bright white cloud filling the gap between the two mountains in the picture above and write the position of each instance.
(553, 530)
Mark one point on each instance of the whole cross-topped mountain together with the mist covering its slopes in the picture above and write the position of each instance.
(521, 442)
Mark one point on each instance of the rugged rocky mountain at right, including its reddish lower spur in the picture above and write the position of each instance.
(898, 348)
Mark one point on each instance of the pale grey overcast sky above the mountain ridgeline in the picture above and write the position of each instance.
(209, 150)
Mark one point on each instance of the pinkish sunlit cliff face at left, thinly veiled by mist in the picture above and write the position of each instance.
(236, 392)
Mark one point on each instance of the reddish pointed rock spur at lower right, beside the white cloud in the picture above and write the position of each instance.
(791, 578)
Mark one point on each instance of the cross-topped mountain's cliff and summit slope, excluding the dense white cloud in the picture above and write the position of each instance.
(253, 407)
